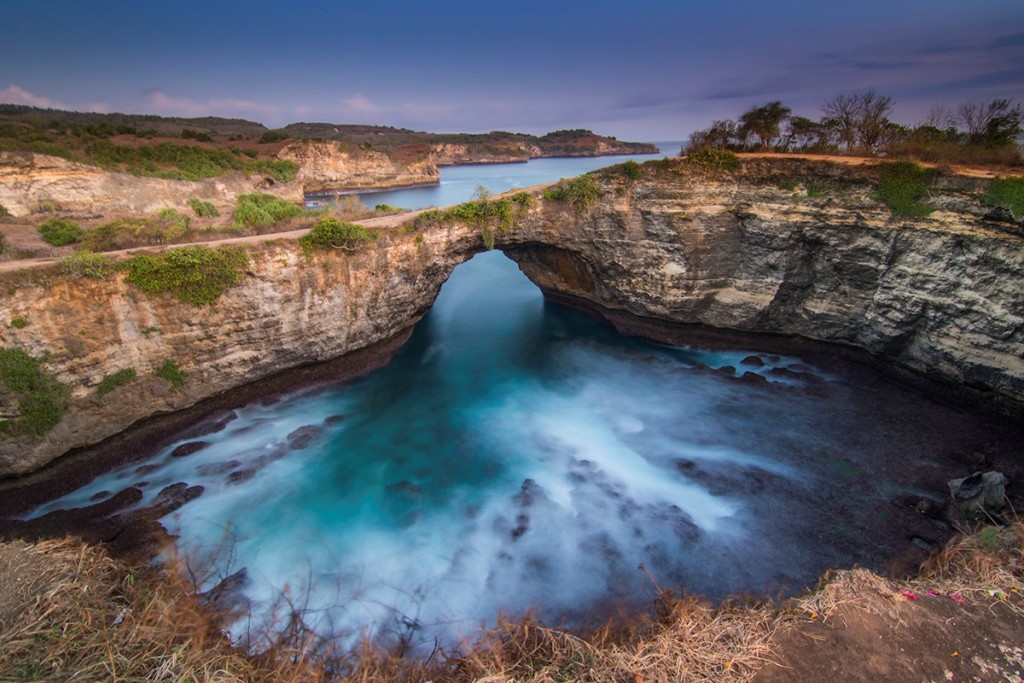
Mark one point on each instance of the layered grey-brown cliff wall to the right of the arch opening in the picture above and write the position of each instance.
(941, 295)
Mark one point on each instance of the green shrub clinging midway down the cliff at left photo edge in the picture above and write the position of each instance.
(42, 400)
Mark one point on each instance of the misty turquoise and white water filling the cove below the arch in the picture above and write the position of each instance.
(518, 454)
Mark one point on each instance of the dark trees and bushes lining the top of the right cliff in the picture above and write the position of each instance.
(859, 123)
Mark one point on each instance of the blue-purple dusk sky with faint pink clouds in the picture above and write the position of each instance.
(646, 70)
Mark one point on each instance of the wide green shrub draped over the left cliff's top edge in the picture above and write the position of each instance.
(193, 275)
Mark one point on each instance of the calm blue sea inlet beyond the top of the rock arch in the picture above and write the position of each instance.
(459, 183)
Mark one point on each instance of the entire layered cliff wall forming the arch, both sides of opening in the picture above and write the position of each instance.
(941, 295)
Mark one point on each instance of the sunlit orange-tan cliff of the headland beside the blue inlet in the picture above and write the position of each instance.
(333, 166)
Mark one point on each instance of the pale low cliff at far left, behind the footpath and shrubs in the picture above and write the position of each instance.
(30, 183)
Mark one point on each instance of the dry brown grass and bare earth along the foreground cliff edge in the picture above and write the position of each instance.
(70, 613)
